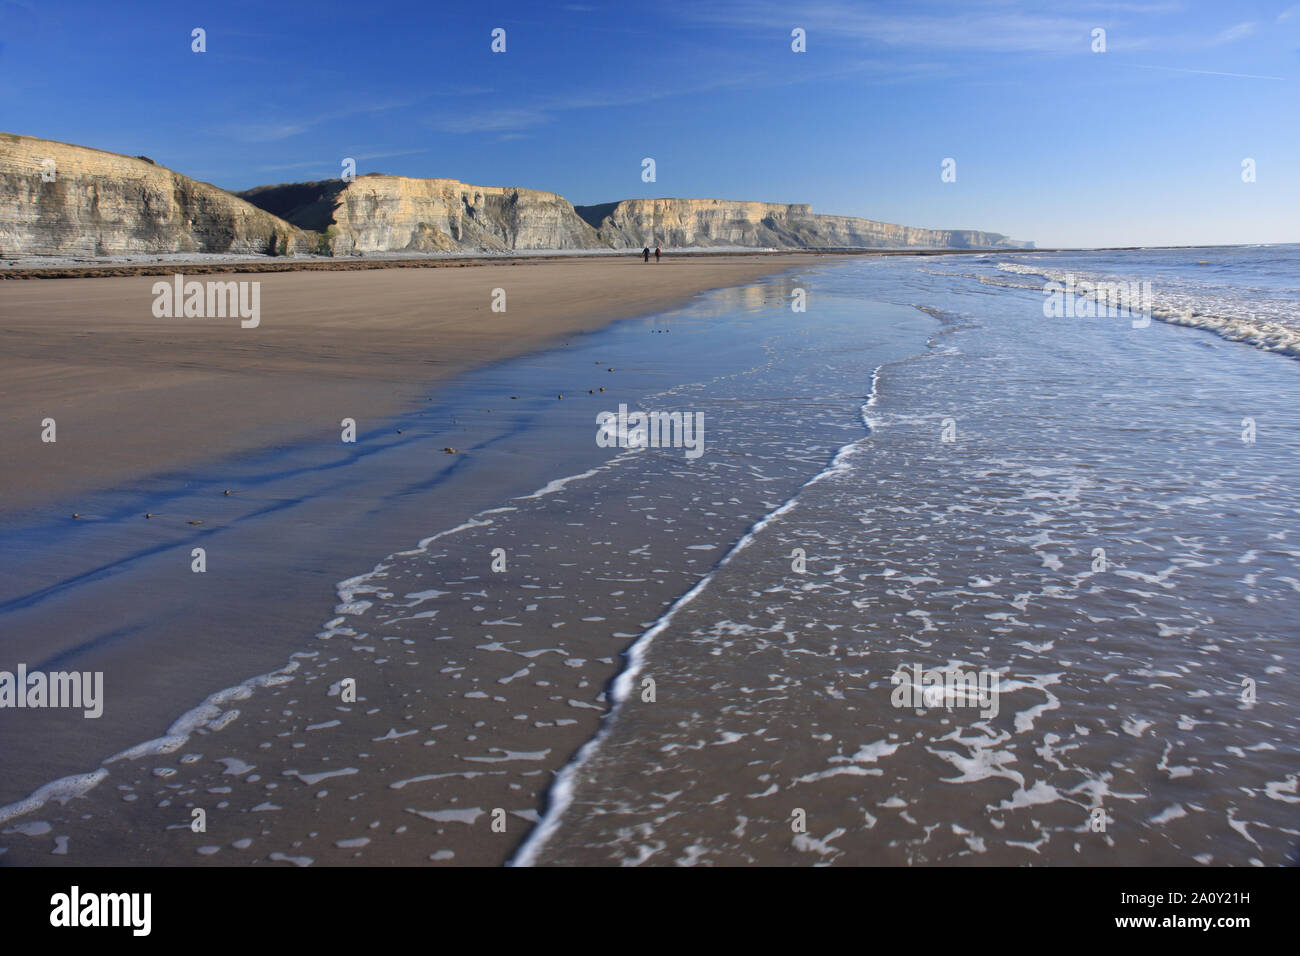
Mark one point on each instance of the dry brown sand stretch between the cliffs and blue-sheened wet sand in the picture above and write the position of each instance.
(135, 395)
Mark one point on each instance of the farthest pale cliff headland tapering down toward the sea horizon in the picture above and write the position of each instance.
(684, 223)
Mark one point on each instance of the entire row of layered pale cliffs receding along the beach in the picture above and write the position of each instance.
(62, 200)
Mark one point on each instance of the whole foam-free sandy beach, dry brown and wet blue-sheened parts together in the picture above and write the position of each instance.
(164, 417)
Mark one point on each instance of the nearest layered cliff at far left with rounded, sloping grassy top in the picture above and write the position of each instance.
(103, 204)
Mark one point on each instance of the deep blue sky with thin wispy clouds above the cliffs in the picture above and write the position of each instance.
(1141, 145)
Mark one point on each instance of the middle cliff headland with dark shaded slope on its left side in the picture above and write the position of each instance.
(391, 214)
